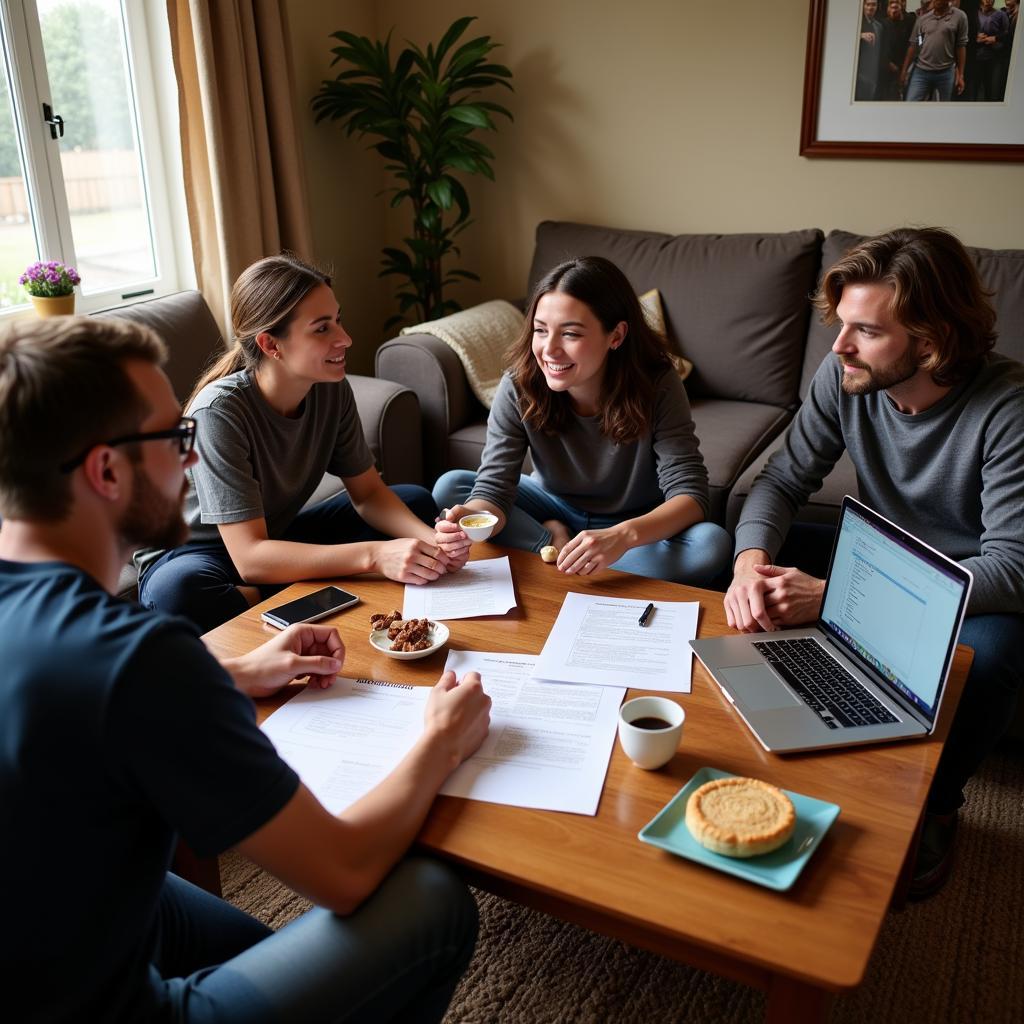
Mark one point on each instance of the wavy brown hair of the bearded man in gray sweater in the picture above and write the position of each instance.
(937, 295)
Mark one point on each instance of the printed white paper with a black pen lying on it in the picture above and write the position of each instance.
(600, 641)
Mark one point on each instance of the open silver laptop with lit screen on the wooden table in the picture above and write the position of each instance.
(875, 665)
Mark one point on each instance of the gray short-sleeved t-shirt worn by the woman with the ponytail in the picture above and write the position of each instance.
(257, 464)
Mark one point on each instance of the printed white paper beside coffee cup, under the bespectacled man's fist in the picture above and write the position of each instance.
(548, 746)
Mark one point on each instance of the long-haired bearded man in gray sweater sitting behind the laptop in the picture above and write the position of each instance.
(932, 419)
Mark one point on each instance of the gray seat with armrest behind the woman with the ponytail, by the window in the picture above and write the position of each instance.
(390, 413)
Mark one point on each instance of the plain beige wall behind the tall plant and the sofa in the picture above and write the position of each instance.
(657, 114)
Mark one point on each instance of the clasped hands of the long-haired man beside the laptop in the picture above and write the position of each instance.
(771, 598)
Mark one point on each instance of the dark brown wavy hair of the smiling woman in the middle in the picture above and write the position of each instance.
(631, 372)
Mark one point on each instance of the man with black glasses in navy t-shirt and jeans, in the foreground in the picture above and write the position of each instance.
(120, 732)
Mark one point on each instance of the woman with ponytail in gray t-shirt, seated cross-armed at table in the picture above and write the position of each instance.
(274, 414)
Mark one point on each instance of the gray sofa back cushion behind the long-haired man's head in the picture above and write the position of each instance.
(1002, 272)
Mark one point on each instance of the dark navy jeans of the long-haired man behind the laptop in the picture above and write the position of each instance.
(993, 688)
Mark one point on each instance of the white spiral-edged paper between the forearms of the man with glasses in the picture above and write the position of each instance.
(344, 741)
